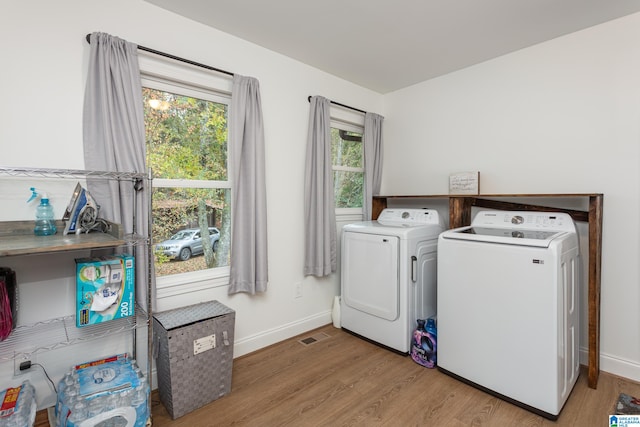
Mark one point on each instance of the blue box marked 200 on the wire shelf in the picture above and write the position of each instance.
(104, 289)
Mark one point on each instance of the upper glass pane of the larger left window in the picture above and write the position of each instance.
(186, 137)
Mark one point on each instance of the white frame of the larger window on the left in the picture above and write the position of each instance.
(171, 76)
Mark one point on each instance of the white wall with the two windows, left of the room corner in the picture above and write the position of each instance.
(42, 79)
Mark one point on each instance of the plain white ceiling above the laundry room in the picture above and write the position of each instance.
(385, 45)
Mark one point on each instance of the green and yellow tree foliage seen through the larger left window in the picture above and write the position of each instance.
(186, 139)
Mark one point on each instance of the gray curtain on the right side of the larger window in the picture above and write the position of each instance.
(249, 269)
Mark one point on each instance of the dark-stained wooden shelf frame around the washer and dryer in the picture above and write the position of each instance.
(460, 215)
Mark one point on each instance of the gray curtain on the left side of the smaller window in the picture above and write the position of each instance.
(320, 256)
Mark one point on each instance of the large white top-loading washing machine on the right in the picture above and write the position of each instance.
(508, 307)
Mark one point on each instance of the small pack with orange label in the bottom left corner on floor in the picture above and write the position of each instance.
(18, 406)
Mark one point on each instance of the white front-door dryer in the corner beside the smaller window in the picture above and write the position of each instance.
(389, 275)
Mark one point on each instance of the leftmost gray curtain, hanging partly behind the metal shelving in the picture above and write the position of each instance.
(114, 138)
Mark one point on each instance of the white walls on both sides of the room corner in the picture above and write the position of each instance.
(563, 116)
